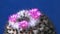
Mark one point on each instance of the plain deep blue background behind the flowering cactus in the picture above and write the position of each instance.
(49, 7)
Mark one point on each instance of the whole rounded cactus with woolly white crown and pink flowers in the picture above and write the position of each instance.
(30, 21)
